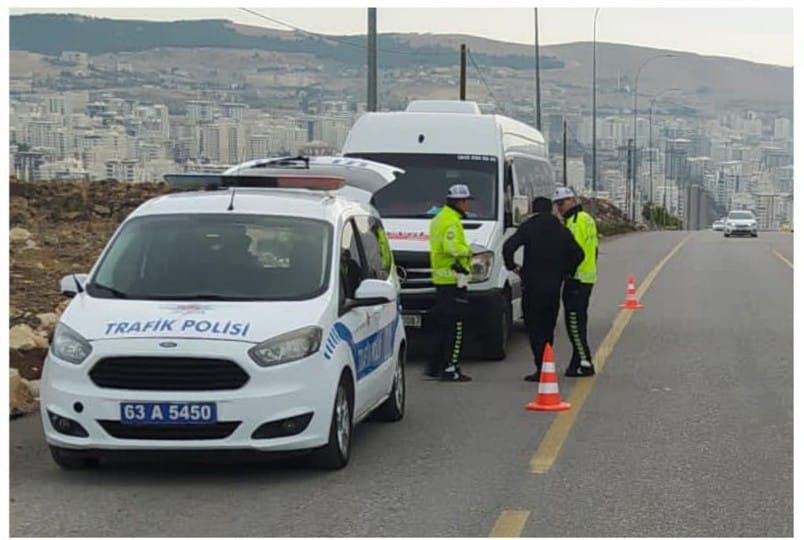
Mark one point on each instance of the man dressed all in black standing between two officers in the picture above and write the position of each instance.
(551, 254)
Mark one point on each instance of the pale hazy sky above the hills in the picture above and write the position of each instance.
(761, 35)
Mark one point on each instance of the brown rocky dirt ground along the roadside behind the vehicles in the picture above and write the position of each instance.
(59, 228)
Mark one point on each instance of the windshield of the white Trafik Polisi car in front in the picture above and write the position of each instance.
(216, 257)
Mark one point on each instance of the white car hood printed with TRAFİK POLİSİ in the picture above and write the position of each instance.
(101, 318)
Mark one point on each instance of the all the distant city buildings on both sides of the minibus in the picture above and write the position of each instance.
(697, 167)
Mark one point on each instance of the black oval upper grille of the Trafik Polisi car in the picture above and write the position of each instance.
(167, 373)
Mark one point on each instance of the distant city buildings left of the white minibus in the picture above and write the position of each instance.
(82, 135)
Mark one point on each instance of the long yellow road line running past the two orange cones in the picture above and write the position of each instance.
(551, 444)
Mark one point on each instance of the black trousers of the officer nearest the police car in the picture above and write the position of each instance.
(451, 304)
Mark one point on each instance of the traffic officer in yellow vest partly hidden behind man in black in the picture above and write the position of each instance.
(578, 288)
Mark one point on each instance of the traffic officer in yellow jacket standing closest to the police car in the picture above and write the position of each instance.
(450, 262)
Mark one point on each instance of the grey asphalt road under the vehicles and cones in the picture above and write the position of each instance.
(687, 431)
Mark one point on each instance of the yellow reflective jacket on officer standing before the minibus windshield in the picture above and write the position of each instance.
(448, 246)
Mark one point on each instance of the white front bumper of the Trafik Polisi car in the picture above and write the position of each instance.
(294, 391)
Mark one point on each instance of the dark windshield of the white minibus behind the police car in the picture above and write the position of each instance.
(420, 192)
